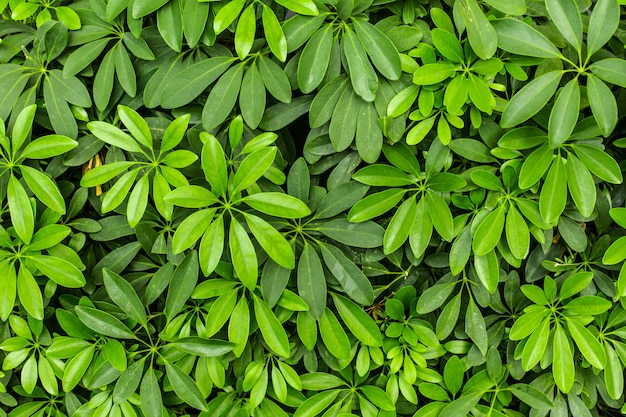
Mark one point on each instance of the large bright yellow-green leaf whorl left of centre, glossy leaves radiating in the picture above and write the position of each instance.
(231, 198)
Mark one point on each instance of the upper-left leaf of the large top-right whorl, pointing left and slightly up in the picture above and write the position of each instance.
(520, 38)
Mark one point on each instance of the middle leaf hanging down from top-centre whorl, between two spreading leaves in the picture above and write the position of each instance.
(362, 75)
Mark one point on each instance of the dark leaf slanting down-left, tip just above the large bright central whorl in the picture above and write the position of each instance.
(222, 97)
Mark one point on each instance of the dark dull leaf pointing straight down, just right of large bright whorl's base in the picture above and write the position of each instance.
(311, 281)
